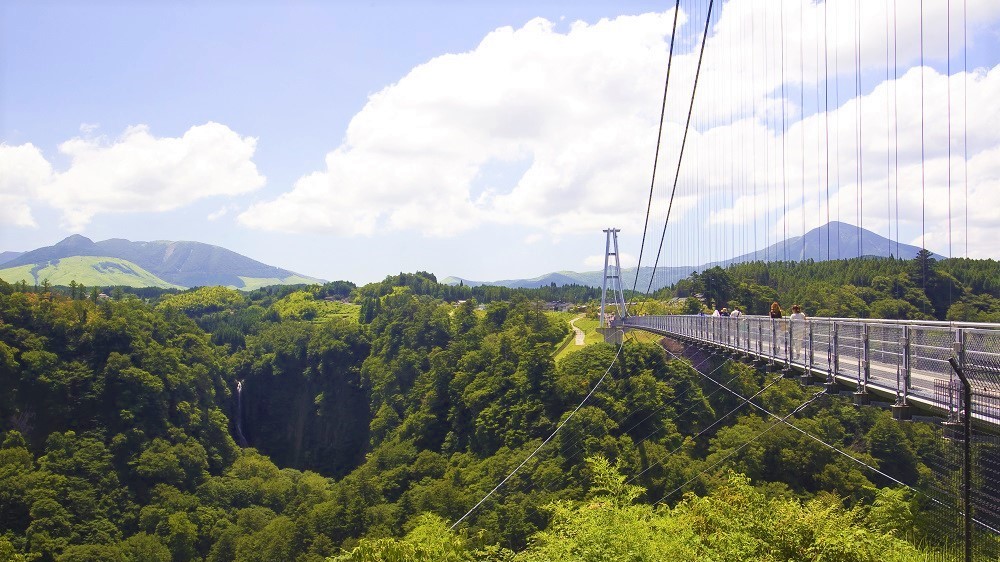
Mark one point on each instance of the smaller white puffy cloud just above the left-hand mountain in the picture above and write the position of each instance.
(136, 172)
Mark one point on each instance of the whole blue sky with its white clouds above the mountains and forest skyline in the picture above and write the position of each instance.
(351, 140)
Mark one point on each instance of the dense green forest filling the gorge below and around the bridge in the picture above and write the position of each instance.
(286, 424)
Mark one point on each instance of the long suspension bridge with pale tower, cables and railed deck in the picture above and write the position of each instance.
(780, 118)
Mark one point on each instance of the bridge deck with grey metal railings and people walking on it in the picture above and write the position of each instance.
(906, 362)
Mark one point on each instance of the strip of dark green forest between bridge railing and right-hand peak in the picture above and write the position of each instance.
(955, 289)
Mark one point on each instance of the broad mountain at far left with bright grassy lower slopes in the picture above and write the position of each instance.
(160, 263)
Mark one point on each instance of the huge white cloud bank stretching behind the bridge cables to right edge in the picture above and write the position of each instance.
(574, 114)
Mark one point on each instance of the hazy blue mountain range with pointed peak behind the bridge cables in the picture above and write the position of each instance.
(835, 240)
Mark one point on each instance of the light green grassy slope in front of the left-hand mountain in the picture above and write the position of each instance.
(86, 270)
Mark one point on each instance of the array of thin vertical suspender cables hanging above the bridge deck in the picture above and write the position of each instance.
(791, 110)
